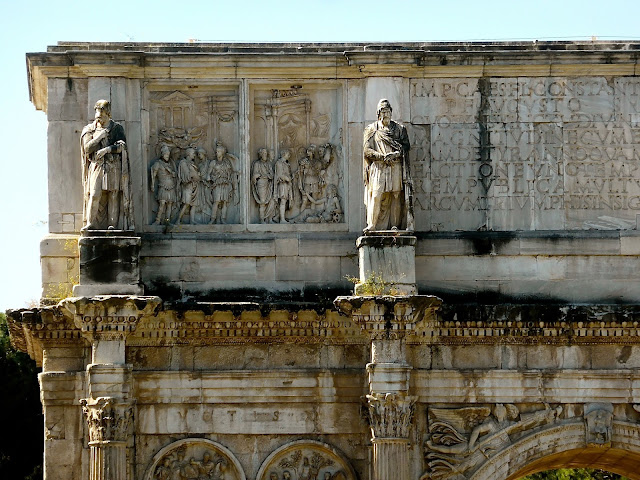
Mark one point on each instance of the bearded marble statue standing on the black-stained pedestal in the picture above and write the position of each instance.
(105, 173)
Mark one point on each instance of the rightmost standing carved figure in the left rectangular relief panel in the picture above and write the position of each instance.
(223, 180)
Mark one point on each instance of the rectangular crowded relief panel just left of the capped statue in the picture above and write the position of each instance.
(297, 167)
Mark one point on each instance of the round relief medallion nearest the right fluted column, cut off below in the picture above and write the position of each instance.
(306, 460)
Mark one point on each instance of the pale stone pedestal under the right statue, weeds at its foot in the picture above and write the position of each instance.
(387, 264)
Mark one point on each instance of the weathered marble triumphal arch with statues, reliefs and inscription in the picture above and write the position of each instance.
(338, 261)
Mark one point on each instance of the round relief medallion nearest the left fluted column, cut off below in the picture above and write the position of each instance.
(194, 459)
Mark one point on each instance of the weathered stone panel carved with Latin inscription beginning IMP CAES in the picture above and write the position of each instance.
(542, 153)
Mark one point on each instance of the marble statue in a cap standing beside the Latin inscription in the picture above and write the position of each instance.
(387, 180)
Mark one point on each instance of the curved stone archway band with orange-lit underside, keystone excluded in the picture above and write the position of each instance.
(564, 446)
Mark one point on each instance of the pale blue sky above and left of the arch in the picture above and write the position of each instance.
(32, 25)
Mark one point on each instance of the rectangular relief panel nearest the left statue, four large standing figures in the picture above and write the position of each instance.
(198, 181)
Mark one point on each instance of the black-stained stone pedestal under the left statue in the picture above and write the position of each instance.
(109, 264)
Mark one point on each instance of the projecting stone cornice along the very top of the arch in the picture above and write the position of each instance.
(184, 61)
